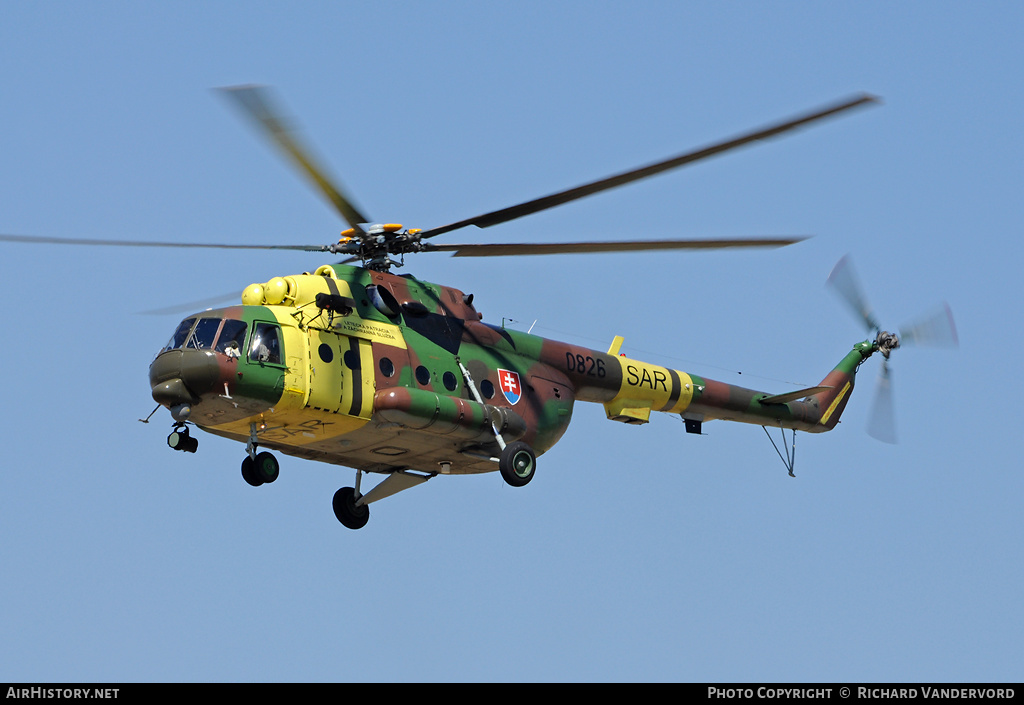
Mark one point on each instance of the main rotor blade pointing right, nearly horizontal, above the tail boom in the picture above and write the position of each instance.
(498, 251)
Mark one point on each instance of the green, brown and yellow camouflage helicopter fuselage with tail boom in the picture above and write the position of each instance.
(369, 370)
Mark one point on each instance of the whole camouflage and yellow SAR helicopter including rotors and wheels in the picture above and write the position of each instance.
(357, 366)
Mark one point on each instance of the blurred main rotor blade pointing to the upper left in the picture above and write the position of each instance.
(257, 103)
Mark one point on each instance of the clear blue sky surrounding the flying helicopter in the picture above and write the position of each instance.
(637, 554)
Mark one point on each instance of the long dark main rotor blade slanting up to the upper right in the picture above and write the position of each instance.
(529, 208)
